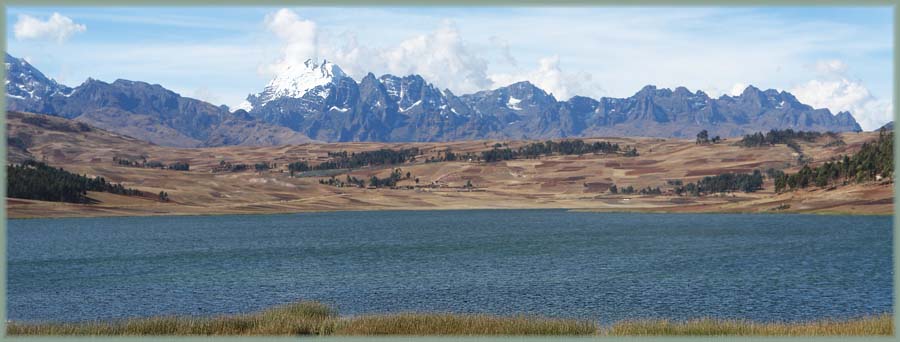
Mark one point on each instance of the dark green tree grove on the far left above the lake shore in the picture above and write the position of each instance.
(39, 181)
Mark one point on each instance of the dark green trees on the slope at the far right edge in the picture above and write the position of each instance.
(874, 160)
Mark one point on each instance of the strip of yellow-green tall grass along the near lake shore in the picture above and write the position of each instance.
(311, 318)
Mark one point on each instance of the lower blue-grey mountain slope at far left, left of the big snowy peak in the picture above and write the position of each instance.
(141, 110)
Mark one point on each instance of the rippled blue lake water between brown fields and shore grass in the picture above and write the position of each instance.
(601, 266)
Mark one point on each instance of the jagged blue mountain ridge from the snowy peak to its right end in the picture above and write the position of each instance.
(414, 110)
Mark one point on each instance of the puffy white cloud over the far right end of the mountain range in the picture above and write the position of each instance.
(838, 92)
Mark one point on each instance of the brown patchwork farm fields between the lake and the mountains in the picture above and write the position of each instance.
(571, 182)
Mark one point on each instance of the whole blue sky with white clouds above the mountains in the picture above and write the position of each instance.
(838, 58)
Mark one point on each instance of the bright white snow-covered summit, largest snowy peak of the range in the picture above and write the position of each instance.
(295, 81)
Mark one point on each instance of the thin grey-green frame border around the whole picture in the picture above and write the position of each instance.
(445, 3)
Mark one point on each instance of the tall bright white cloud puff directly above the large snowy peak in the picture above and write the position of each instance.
(298, 36)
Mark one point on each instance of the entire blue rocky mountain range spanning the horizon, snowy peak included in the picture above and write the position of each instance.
(319, 102)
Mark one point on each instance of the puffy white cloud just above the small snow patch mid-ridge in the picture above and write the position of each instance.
(551, 78)
